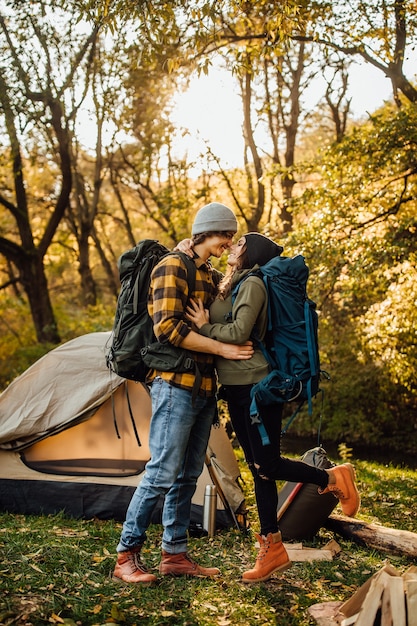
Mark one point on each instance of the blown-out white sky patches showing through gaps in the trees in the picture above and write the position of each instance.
(212, 111)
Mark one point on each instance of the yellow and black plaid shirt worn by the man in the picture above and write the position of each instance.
(168, 297)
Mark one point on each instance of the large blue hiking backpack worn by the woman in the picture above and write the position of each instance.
(291, 342)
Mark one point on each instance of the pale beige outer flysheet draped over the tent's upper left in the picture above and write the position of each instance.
(64, 387)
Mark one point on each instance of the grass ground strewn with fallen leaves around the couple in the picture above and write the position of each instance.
(56, 570)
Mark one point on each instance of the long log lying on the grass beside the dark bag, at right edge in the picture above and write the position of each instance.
(376, 536)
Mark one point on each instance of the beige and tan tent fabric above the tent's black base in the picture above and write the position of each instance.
(45, 414)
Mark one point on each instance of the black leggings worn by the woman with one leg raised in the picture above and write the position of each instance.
(265, 461)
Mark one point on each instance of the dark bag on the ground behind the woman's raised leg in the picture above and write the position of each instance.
(302, 510)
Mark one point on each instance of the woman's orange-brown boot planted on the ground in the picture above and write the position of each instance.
(272, 557)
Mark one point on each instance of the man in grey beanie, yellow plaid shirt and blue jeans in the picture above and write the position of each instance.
(181, 422)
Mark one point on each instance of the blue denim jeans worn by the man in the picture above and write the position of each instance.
(178, 439)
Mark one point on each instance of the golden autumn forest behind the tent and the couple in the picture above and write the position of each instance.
(339, 190)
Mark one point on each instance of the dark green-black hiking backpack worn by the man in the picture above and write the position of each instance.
(133, 348)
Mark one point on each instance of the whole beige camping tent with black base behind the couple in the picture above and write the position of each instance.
(74, 438)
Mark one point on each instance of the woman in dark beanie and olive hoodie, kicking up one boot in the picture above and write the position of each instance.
(235, 324)
